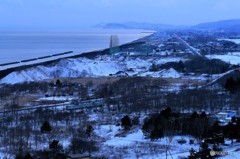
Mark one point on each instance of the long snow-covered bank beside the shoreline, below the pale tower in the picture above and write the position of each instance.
(99, 67)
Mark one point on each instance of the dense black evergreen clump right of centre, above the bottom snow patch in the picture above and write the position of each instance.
(169, 123)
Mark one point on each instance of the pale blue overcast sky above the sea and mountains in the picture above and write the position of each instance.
(19, 14)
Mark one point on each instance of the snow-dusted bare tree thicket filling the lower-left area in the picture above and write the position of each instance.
(22, 132)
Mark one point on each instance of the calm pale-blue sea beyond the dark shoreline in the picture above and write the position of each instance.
(15, 46)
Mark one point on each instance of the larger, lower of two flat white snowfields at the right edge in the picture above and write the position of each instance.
(232, 58)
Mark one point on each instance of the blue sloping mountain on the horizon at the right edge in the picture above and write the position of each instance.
(227, 25)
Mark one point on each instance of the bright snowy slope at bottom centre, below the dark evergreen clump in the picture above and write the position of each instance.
(135, 142)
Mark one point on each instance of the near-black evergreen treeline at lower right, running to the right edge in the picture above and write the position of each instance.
(168, 124)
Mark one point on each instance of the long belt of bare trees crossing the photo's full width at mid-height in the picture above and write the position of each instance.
(133, 94)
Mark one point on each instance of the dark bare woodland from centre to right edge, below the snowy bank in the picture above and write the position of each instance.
(146, 94)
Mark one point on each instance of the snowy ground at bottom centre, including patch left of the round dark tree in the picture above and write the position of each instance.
(135, 142)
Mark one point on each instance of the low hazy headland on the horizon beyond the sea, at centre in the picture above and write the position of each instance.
(134, 25)
